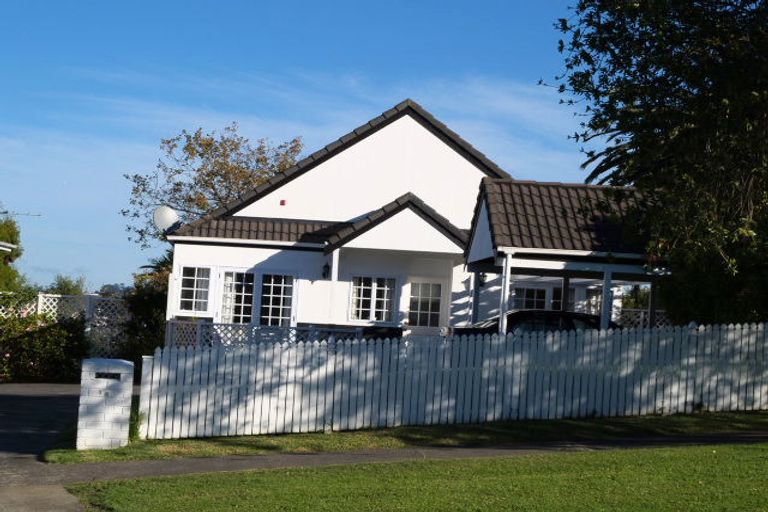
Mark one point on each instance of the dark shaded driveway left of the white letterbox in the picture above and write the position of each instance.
(33, 415)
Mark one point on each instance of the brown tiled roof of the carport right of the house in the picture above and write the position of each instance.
(565, 216)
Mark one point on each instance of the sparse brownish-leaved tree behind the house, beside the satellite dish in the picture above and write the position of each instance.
(201, 171)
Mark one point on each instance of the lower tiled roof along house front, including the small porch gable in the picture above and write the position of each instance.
(332, 234)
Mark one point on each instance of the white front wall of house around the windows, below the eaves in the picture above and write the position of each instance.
(318, 300)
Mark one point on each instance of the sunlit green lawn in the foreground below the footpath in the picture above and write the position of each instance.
(723, 477)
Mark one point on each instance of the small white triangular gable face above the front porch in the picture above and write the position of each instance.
(405, 231)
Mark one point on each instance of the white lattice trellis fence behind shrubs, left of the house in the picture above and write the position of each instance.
(104, 317)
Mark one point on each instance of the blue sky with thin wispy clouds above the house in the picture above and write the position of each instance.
(88, 89)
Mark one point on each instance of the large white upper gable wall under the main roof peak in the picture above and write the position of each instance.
(401, 157)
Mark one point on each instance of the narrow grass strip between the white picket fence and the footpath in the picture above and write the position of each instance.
(488, 434)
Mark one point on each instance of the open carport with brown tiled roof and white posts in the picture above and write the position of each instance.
(559, 230)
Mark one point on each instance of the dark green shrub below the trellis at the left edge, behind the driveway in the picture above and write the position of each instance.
(37, 349)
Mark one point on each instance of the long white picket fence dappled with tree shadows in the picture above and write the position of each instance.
(347, 385)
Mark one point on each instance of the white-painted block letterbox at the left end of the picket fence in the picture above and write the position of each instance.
(106, 386)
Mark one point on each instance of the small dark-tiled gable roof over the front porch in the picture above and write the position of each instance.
(409, 200)
